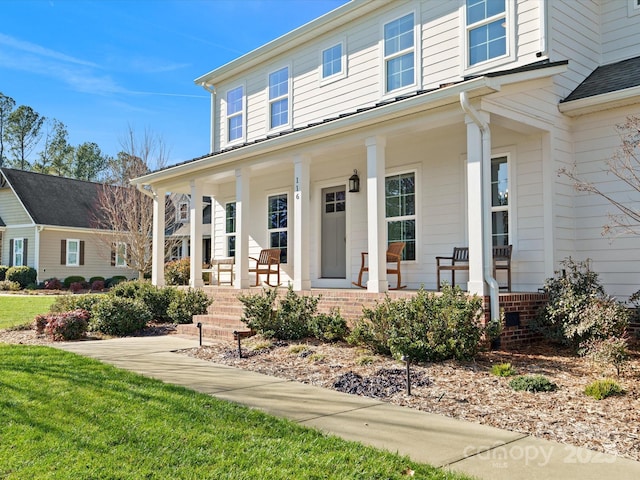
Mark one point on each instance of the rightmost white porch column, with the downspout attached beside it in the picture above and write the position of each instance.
(474, 207)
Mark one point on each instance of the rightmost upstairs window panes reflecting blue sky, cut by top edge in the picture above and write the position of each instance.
(486, 30)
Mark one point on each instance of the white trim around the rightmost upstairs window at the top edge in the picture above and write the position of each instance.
(509, 56)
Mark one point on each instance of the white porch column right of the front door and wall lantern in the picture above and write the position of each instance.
(376, 226)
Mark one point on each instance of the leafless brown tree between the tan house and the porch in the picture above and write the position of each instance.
(125, 212)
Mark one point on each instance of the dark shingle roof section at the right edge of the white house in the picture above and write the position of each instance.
(608, 78)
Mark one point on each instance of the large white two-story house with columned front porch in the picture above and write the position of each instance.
(457, 116)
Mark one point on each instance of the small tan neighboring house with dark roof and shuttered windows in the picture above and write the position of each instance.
(47, 223)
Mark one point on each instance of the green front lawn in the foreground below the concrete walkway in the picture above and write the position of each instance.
(66, 416)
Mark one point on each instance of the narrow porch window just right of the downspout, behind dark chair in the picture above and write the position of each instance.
(500, 200)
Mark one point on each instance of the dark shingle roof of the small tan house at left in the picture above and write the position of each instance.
(52, 200)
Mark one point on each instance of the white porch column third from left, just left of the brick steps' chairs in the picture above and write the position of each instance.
(243, 218)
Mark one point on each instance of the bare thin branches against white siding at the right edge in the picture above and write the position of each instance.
(625, 165)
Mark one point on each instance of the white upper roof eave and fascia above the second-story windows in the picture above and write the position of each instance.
(309, 31)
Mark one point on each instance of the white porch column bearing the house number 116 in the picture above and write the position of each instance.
(301, 219)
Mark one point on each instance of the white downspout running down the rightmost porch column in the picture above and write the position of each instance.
(487, 250)
